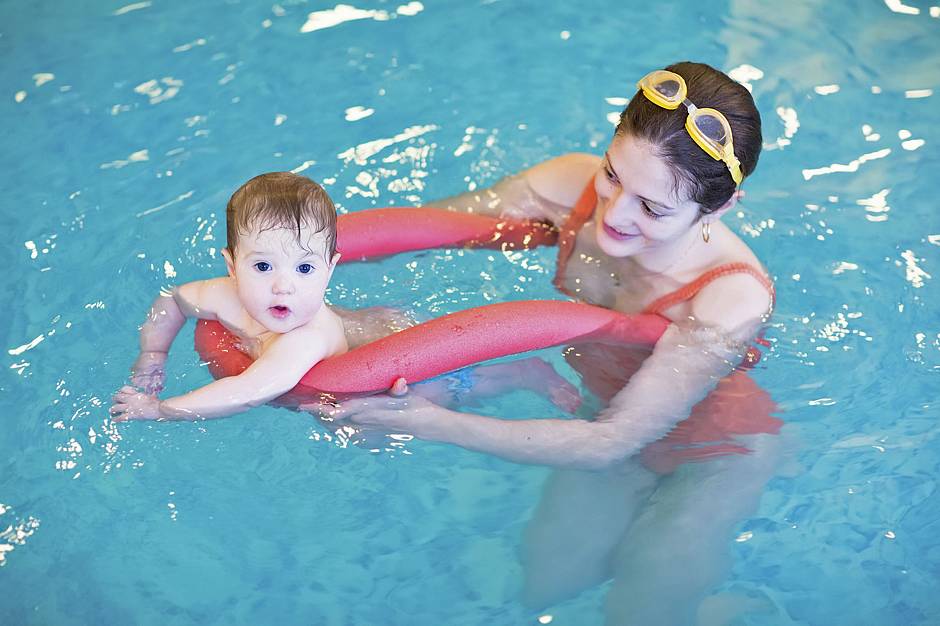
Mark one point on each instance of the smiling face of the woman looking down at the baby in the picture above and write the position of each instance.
(637, 208)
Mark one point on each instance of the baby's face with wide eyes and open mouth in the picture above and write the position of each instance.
(281, 281)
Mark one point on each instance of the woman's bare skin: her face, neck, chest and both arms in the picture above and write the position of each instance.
(644, 241)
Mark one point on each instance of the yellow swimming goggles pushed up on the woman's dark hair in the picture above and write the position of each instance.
(707, 127)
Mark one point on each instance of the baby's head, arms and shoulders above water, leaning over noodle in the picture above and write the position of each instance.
(280, 256)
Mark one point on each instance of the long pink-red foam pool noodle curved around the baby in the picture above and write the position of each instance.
(445, 343)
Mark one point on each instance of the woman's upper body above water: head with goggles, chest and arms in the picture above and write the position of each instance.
(641, 232)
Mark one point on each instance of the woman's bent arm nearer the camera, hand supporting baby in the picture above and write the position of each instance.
(686, 364)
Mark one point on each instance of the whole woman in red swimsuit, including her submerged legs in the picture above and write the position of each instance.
(640, 231)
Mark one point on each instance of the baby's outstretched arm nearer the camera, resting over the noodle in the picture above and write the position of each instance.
(276, 372)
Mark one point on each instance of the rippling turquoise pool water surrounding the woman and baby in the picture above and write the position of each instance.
(127, 126)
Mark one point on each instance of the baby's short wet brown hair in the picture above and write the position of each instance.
(281, 200)
